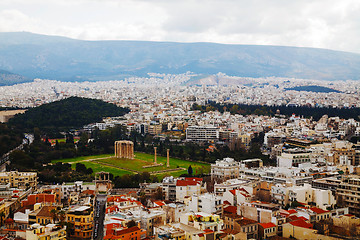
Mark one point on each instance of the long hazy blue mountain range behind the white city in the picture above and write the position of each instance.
(40, 56)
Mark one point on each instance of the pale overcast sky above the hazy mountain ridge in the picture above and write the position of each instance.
(332, 24)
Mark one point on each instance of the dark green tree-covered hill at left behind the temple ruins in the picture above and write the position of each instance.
(68, 113)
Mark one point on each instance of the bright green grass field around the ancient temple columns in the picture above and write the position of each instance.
(101, 163)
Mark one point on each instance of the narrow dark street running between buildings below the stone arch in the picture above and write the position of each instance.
(99, 216)
